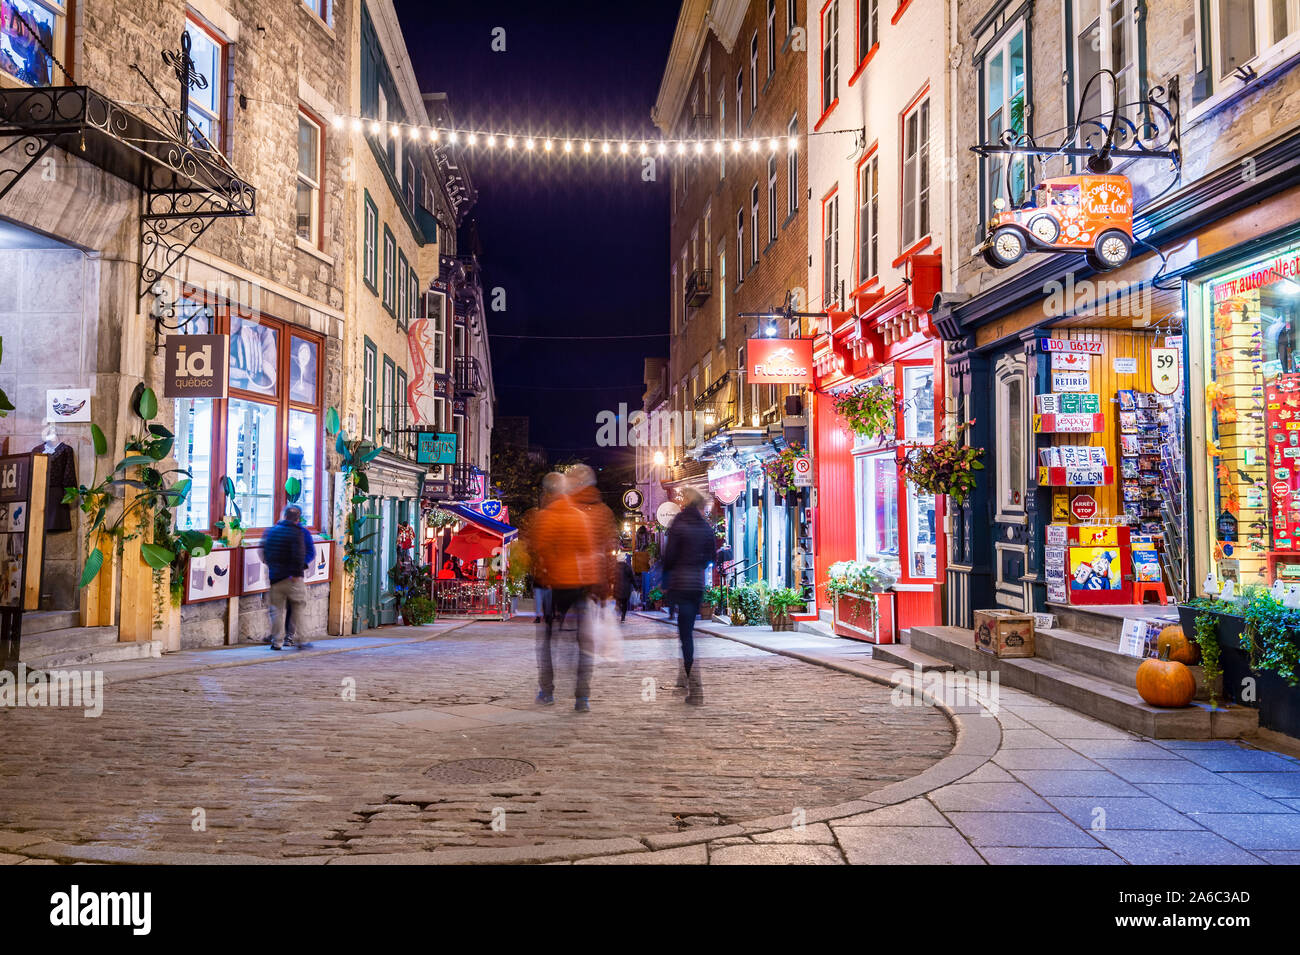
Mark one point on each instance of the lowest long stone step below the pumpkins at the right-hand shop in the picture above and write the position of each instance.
(1102, 700)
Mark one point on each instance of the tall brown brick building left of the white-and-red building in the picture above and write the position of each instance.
(739, 241)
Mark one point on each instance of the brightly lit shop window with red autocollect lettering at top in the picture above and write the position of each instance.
(1253, 420)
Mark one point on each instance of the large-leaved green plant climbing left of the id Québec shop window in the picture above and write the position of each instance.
(158, 493)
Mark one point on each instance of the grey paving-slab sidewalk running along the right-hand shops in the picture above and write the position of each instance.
(1059, 789)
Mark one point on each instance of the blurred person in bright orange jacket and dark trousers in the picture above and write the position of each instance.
(574, 540)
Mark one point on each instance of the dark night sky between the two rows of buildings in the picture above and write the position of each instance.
(580, 246)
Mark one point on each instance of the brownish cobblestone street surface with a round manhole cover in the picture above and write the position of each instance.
(283, 766)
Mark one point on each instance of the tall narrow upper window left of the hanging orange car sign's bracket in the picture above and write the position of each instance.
(1006, 103)
